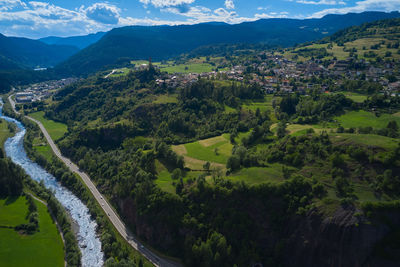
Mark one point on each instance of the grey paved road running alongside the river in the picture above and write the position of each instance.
(115, 220)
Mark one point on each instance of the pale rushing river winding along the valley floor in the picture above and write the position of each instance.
(89, 242)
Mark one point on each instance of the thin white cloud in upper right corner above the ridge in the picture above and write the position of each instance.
(361, 6)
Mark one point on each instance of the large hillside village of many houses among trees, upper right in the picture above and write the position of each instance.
(289, 76)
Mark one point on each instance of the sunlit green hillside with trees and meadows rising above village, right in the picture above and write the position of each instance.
(375, 42)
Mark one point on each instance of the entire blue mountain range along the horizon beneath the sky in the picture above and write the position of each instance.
(82, 55)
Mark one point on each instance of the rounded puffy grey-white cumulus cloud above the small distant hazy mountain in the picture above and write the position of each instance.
(104, 13)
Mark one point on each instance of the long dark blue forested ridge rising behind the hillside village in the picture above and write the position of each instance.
(161, 42)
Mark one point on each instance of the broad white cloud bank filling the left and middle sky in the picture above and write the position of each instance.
(37, 19)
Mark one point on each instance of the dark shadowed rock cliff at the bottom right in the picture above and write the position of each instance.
(340, 240)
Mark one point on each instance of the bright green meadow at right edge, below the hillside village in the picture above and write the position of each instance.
(364, 119)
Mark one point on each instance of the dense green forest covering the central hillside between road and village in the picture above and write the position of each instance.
(118, 132)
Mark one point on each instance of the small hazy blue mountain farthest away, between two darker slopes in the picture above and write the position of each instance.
(78, 41)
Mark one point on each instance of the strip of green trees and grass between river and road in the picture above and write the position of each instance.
(115, 244)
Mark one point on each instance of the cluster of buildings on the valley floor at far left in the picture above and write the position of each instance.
(40, 91)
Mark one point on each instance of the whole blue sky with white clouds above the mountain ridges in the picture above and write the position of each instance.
(36, 19)
